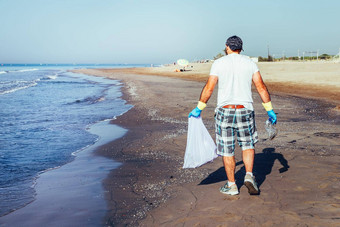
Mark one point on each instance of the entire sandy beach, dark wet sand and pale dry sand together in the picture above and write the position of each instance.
(298, 172)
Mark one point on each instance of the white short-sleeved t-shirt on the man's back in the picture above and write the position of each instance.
(234, 73)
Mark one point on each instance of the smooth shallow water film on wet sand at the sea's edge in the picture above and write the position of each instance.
(80, 178)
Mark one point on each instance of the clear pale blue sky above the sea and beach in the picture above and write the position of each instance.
(160, 31)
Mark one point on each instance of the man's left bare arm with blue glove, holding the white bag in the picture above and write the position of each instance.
(205, 96)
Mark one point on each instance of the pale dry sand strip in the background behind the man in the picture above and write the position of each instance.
(319, 80)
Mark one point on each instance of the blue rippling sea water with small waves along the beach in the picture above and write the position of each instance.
(44, 114)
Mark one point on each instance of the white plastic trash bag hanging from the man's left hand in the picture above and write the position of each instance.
(201, 147)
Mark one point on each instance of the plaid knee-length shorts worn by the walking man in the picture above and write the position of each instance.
(229, 122)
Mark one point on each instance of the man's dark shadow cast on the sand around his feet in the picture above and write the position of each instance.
(263, 165)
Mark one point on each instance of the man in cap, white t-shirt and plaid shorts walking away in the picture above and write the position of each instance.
(235, 113)
